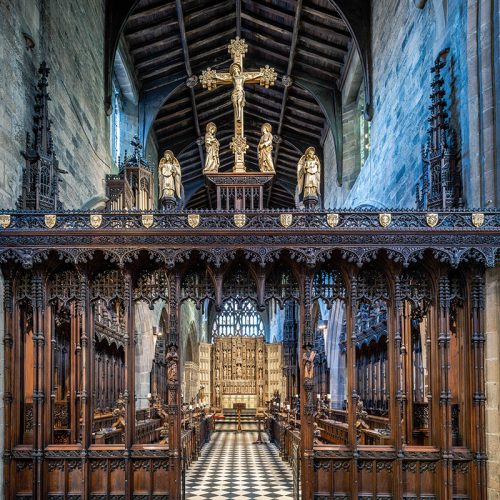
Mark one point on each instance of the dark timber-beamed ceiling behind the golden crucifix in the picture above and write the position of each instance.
(173, 40)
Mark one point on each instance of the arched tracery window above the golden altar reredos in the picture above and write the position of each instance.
(238, 319)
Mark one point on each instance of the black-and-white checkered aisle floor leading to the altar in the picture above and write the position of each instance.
(231, 467)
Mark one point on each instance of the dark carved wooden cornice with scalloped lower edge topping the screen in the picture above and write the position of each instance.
(359, 237)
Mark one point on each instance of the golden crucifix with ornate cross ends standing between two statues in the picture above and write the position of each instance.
(210, 79)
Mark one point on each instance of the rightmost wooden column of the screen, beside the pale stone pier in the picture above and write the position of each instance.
(478, 424)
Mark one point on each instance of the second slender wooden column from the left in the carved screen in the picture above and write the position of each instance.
(38, 385)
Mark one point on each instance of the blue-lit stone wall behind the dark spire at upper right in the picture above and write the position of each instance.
(405, 43)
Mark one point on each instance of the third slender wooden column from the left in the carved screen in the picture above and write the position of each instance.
(87, 336)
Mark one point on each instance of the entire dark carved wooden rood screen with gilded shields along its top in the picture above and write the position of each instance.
(407, 410)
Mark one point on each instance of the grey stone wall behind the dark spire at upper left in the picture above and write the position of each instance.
(68, 34)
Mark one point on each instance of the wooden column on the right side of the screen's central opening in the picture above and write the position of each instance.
(307, 399)
